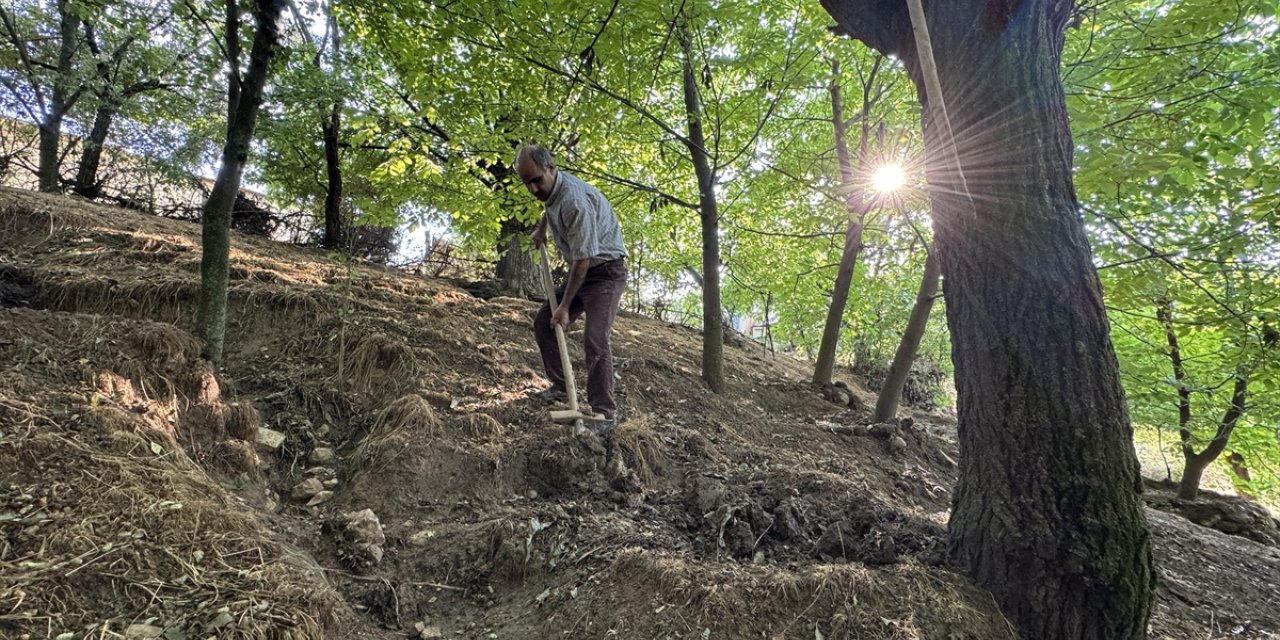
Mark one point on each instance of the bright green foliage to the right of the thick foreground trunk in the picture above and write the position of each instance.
(1174, 109)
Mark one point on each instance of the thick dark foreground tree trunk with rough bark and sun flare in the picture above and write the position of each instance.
(1048, 513)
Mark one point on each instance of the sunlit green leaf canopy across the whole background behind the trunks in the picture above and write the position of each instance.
(1173, 108)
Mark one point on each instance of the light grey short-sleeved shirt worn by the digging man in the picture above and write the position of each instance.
(583, 222)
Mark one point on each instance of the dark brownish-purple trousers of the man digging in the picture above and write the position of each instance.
(598, 298)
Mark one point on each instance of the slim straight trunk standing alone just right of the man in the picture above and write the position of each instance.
(714, 328)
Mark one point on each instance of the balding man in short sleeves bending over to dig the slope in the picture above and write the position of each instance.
(588, 235)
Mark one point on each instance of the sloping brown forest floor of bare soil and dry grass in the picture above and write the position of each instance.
(374, 464)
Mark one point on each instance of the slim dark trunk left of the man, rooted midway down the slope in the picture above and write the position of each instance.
(217, 214)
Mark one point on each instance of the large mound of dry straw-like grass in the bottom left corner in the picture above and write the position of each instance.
(130, 529)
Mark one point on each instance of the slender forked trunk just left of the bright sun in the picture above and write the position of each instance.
(857, 204)
